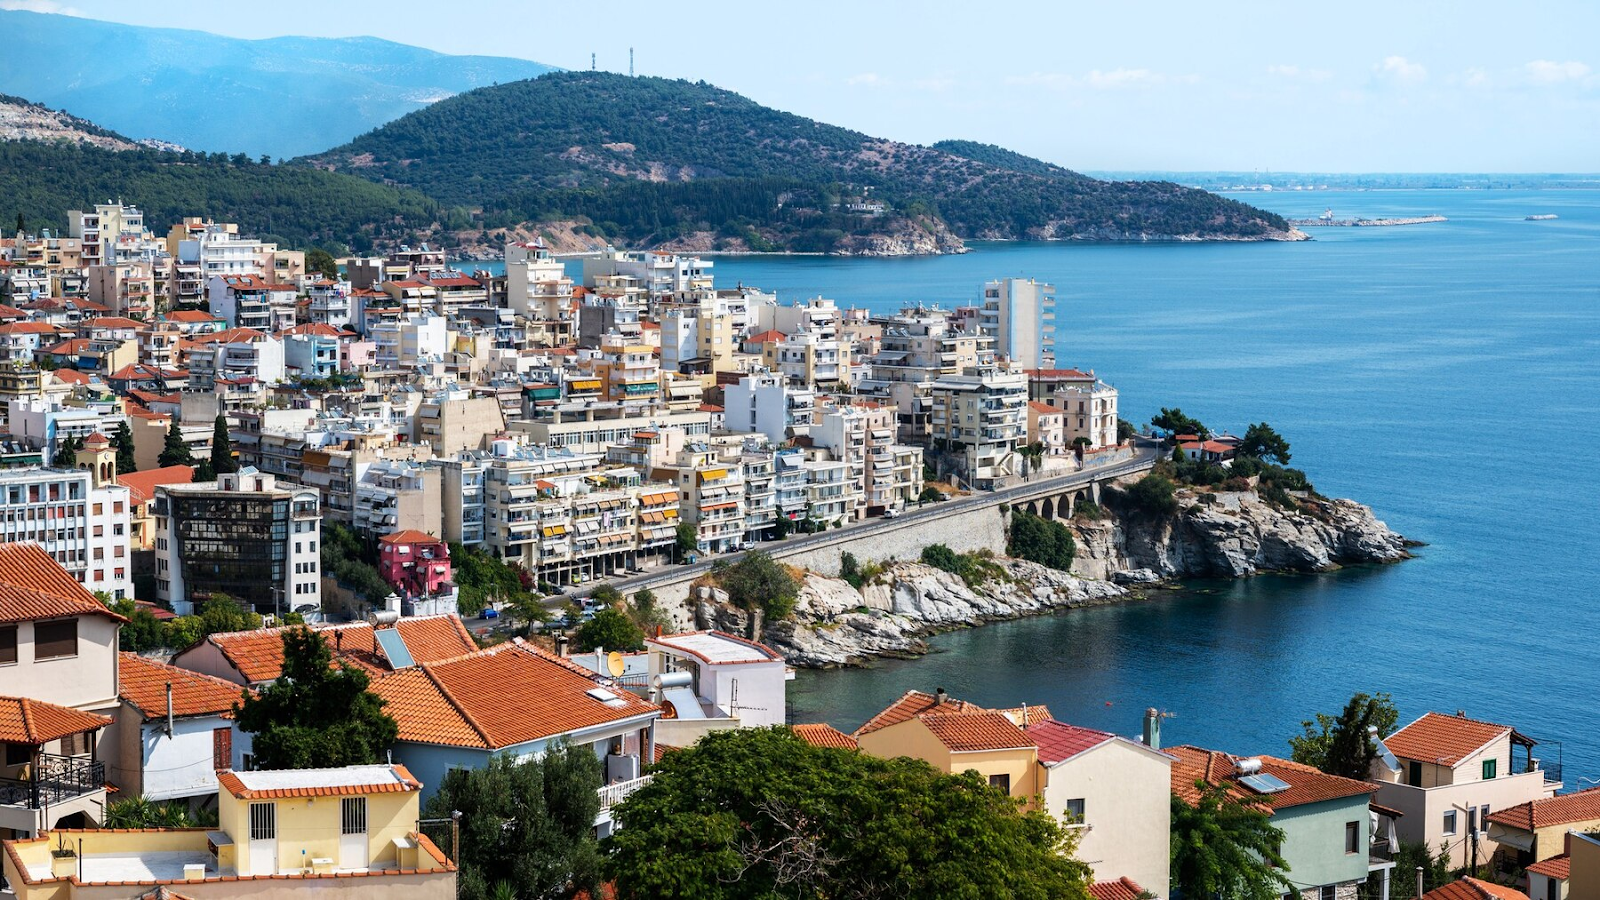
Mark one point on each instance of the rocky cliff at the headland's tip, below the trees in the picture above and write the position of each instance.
(1231, 536)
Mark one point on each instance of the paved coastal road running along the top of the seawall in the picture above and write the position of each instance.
(1145, 457)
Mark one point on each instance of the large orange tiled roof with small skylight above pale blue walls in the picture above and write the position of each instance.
(500, 697)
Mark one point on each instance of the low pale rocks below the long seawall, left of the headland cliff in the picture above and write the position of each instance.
(836, 625)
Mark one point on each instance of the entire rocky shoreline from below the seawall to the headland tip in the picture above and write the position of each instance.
(1212, 536)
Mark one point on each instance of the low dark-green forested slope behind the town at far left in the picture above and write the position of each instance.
(294, 204)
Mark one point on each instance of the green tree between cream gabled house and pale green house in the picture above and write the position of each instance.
(1225, 850)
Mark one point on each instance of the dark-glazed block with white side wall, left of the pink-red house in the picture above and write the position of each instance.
(242, 536)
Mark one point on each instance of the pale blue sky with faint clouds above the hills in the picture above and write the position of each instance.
(1137, 86)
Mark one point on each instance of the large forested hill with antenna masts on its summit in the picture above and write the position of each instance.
(650, 159)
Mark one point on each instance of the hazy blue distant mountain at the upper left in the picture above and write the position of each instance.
(279, 97)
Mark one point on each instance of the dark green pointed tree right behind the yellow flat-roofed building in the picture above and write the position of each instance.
(319, 713)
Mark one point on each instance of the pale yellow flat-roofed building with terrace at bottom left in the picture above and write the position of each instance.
(350, 832)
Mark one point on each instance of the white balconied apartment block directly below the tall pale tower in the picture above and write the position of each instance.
(978, 420)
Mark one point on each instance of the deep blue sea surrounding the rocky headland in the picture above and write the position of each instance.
(1444, 374)
